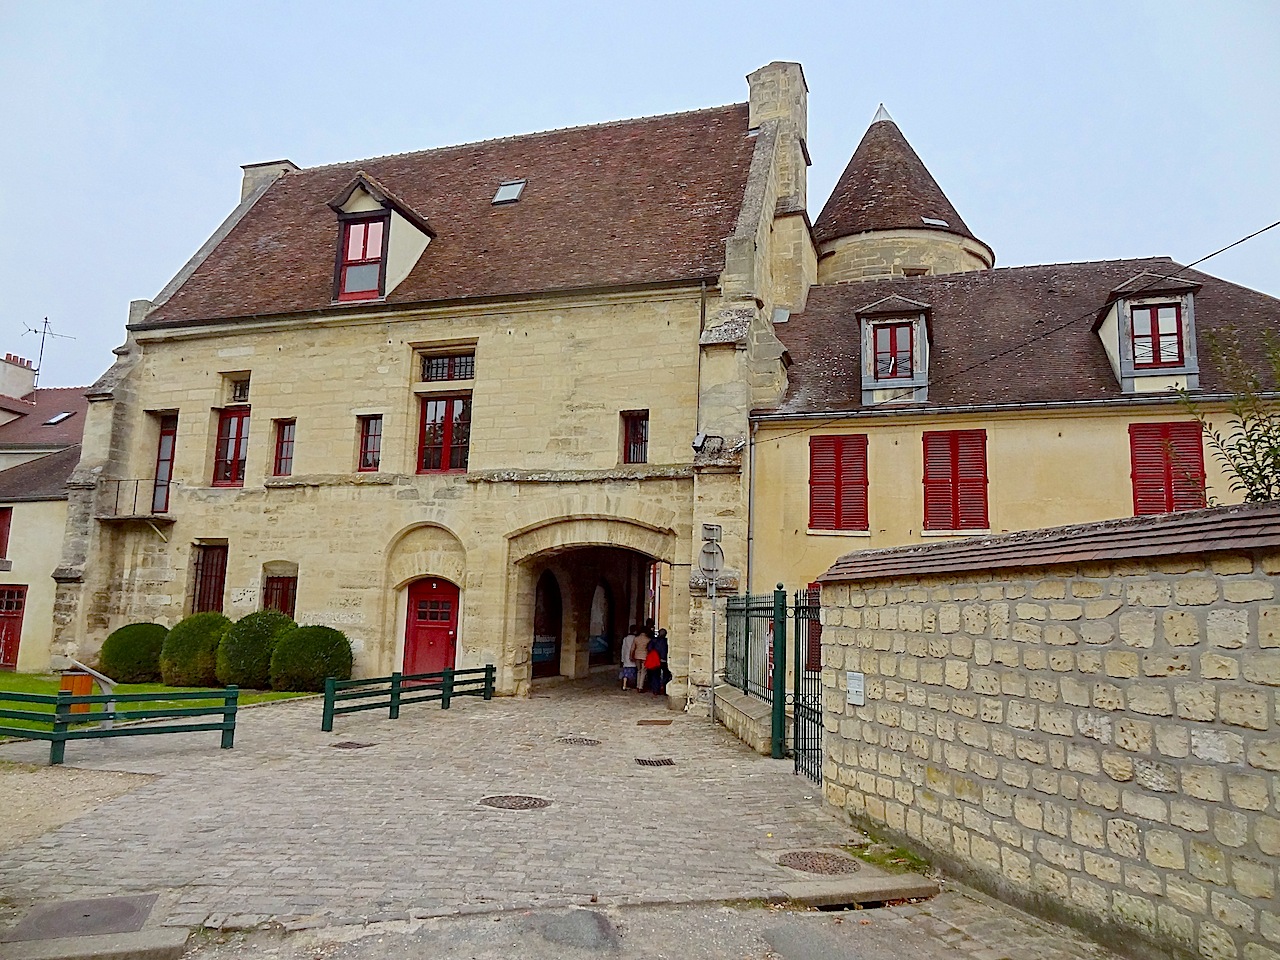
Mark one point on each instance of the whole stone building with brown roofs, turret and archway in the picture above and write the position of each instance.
(460, 403)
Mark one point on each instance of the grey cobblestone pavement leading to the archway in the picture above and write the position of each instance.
(289, 828)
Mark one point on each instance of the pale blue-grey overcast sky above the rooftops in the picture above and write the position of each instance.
(1060, 131)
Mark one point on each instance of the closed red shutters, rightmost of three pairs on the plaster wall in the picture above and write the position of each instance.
(1168, 464)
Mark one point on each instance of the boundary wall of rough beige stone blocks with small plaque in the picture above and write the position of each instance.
(1099, 742)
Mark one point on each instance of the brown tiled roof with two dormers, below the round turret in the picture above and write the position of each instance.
(996, 339)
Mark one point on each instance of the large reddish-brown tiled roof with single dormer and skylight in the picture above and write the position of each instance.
(637, 202)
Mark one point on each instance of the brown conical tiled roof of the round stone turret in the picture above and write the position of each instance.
(886, 188)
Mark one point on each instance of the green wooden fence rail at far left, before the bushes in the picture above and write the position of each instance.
(65, 725)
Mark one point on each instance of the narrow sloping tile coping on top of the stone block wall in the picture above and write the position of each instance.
(1241, 528)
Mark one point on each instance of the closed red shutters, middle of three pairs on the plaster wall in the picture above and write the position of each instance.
(956, 481)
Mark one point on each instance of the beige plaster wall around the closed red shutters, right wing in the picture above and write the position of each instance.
(1048, 469)
